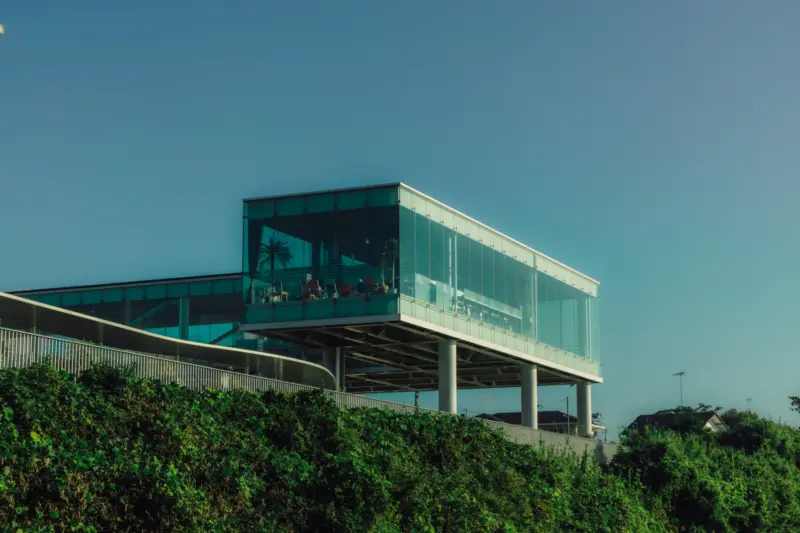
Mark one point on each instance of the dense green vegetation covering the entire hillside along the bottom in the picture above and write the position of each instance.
(112, 452)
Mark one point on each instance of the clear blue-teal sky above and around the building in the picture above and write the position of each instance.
(653, 145)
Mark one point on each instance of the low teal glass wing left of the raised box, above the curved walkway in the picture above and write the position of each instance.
(199, 310)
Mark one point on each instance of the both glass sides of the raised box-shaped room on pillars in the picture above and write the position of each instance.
(390, 250)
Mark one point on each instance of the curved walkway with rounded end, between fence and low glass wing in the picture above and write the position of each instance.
(23, 314)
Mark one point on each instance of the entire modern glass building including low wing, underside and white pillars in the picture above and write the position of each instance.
(383, 283)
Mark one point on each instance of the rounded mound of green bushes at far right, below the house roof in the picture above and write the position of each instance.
(743, 480)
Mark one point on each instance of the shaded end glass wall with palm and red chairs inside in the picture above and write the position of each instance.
(321, 256)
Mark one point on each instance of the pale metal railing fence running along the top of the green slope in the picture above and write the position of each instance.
(20, 349)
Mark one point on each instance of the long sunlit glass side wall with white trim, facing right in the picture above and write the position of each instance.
(457, 273)
